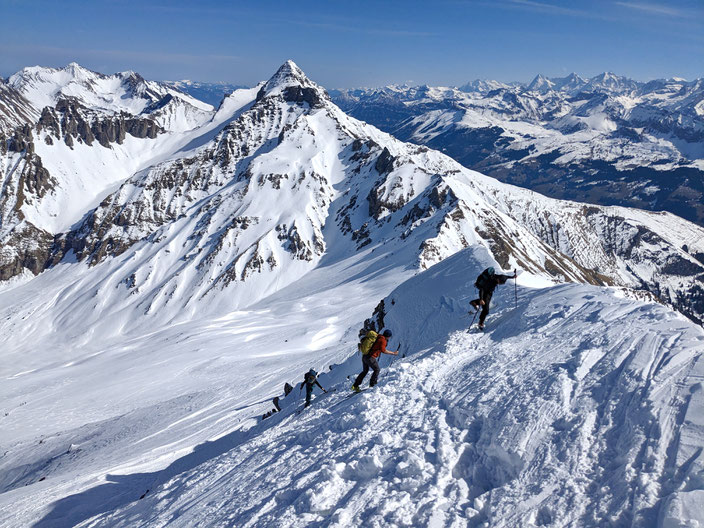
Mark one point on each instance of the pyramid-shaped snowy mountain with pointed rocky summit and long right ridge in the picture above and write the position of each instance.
(291, 145)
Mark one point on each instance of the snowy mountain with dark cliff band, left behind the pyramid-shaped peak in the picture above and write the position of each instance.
(97, 131)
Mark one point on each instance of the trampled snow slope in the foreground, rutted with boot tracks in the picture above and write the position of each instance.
(569, 412)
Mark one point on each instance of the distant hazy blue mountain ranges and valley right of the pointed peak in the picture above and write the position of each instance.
(606, 140)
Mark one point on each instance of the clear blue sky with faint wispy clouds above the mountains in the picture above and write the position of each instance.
(362, 43)
